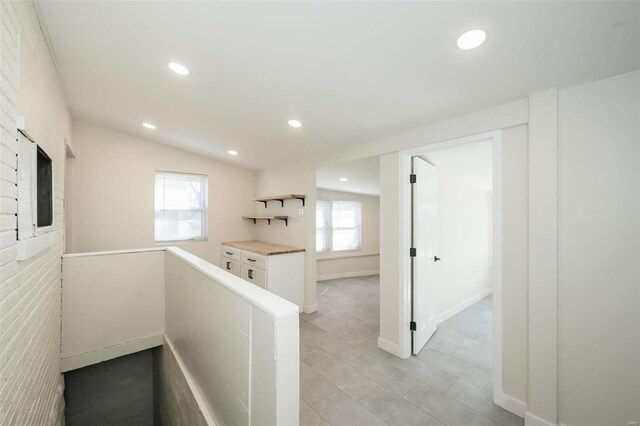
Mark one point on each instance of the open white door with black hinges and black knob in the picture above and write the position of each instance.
(424, 215)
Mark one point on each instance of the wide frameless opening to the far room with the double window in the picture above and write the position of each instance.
(348, 249)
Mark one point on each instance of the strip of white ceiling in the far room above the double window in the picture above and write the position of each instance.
(363, 175)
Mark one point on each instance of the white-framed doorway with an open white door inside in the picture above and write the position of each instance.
(452, 231)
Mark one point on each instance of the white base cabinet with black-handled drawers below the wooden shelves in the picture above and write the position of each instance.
(279, 273)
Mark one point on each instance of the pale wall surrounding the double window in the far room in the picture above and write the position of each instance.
(365, 261)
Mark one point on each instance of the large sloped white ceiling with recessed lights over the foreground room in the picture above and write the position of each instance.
(350, 71)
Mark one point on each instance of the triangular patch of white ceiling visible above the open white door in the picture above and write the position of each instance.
(472, 162)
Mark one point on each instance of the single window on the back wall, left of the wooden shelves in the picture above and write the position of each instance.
(180, 207)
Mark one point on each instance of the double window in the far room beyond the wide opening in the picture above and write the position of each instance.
(338, 225)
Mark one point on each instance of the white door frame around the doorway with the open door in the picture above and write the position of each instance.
(405, 244)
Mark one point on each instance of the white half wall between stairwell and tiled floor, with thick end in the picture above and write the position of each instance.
(238, 343)
